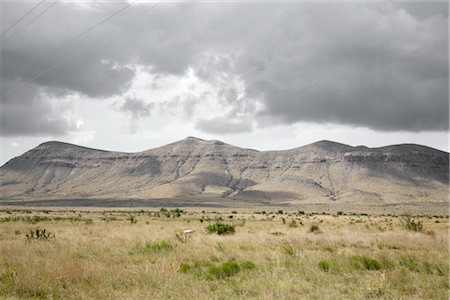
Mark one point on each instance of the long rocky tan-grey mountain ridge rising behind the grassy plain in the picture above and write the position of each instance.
(192, 168)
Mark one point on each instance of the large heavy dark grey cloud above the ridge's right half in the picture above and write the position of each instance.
(376, 67)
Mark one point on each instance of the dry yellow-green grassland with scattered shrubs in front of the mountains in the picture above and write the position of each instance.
(271, 255)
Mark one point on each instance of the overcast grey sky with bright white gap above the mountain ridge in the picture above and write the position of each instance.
(130, 76)
